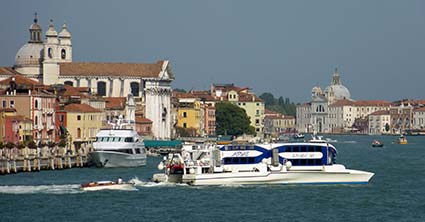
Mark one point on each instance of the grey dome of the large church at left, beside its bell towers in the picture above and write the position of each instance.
(29, 54)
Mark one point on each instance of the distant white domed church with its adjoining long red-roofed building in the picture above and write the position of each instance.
(333, 111)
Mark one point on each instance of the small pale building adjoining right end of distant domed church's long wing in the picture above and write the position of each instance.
(379, 122)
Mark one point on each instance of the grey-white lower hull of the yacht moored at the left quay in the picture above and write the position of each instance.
(115, 159)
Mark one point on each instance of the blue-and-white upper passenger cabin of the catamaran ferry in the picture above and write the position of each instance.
(300, 154)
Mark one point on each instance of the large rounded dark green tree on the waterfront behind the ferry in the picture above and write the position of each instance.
(232, 120)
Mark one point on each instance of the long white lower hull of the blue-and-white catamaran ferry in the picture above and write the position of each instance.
(278, 177)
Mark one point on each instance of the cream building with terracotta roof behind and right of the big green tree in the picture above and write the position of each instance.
(245, 99)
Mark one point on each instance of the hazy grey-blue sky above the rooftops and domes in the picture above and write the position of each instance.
(282, 47)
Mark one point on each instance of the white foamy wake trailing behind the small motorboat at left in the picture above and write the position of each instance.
(46, 189)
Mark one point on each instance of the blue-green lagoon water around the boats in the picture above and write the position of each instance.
(395, 193)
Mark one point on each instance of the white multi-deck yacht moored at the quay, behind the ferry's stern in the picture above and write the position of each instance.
(118, 147)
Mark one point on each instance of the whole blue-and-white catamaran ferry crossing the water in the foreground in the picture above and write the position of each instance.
(275, 163)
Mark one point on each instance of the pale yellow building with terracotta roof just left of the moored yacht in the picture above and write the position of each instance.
(82, 122)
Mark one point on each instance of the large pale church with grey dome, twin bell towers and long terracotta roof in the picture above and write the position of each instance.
(50, 62)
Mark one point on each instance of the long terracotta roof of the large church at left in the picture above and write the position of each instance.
(111, 69)
